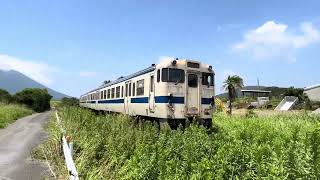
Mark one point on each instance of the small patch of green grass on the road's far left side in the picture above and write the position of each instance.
(11, 112)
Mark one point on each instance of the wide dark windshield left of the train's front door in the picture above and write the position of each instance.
(172, 75)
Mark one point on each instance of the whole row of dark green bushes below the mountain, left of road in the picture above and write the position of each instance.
(34, 98)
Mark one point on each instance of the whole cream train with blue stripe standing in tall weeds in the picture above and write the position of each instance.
(173, 90)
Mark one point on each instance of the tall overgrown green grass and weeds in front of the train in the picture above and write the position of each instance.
(113, 147)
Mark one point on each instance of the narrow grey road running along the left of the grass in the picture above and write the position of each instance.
(16, 144)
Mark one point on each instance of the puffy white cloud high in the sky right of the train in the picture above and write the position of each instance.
(273, 40)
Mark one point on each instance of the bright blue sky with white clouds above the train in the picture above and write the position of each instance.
(72, 46)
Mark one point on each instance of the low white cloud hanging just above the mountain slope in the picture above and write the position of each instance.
(36, 70)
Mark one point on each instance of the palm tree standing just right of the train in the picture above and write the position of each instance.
(231, 84)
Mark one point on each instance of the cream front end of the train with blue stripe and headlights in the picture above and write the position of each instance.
(186, 89)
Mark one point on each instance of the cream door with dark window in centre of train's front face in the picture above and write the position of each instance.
(193, 94)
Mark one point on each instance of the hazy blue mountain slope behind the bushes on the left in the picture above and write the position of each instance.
(14, 81)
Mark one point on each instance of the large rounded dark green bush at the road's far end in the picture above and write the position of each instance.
(34, 98)
